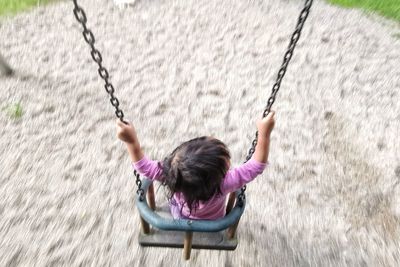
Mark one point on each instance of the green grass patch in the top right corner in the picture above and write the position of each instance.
(386, 8)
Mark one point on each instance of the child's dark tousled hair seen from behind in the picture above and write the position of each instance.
(196, 168)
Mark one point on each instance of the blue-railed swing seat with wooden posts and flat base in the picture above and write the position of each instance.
(204, 234)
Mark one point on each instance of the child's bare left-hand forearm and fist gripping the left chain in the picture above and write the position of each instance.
(127, 133)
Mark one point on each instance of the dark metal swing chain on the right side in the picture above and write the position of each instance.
(281, 73)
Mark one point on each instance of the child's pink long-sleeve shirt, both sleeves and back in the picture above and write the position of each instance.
(206, 210)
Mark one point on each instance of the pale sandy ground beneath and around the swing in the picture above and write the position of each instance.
(331, 196)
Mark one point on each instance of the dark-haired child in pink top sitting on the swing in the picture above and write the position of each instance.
(197, 173)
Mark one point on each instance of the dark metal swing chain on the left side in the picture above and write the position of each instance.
(80, 16)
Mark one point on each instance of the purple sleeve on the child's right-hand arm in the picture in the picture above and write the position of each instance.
(239, 176)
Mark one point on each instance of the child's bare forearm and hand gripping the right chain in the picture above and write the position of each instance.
(265, 127)
